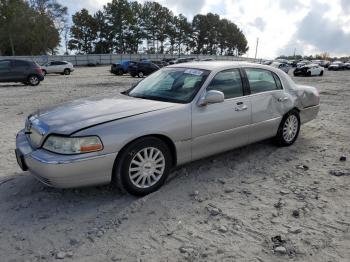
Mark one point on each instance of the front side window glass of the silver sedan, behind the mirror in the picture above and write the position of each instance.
(229, 82)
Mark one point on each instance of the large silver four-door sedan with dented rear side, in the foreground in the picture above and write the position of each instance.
(177, 115)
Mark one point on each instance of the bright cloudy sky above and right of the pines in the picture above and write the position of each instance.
(282, 26)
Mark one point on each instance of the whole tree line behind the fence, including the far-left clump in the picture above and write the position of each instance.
(38, 27)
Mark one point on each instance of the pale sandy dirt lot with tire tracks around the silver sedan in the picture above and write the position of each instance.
(257, 203)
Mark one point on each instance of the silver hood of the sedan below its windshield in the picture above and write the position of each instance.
(70, 117)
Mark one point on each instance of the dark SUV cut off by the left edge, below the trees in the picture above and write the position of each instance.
(26, 72)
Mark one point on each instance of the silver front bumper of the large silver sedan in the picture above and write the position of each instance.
(64, 171)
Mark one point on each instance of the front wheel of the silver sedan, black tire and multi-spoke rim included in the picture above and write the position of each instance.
(138, 176)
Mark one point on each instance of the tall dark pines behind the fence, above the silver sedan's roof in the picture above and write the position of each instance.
(130, 27)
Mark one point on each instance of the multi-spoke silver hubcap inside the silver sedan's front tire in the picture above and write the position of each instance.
(147, 167)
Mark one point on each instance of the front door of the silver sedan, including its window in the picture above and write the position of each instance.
(222, 126)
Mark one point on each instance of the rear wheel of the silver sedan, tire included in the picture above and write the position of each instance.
(288, 130)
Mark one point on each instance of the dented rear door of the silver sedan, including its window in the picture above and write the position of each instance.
(269, 102)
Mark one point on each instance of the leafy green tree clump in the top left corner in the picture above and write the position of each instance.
(31, 27)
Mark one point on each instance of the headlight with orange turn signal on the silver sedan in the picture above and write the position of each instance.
(73, 145)
